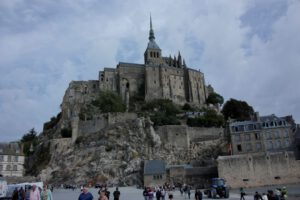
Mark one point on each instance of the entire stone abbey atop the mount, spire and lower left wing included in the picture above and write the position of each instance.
(158, 78)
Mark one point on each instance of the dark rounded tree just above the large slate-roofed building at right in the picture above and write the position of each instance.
(236, 109)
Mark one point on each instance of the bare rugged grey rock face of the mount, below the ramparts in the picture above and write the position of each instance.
(115, 154)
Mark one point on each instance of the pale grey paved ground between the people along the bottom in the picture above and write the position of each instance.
(131, 193)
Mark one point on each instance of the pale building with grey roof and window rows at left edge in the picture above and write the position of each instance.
(11, 159)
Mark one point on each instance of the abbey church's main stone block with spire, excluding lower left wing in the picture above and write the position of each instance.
(158, 78)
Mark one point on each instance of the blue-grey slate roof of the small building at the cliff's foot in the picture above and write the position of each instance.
(153, 167)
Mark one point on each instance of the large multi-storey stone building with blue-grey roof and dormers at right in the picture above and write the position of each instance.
(266, 133)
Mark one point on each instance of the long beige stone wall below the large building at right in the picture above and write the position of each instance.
(259, 169)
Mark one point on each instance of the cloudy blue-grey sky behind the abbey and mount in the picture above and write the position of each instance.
(248, 50)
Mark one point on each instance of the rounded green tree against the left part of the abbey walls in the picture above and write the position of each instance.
(109, 102)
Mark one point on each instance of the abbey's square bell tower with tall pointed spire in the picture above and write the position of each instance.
(152, 54)
